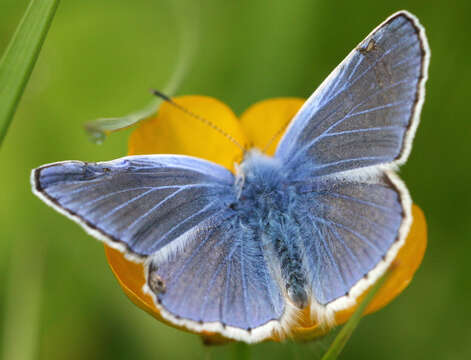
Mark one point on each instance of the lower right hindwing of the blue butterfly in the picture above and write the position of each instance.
(348, 228)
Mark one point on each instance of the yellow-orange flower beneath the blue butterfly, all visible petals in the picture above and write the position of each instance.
(172, 131)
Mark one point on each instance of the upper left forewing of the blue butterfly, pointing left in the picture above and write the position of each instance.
(137, 204)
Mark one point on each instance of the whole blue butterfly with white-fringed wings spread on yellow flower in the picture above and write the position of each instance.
(312, 226)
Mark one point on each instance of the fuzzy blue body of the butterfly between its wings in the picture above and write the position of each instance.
(267, 206)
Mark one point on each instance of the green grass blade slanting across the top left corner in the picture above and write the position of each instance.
(20, 56)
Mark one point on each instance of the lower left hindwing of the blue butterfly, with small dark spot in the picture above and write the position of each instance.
(220, 276)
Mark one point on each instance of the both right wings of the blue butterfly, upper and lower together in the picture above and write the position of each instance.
(356, 214)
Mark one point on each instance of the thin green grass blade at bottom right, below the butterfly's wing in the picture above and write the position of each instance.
(344, 335)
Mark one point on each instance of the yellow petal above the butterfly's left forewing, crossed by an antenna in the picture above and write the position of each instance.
(173, 131)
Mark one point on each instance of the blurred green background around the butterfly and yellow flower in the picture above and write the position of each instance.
(101, 58)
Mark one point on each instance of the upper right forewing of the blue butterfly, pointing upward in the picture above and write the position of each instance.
(365, 113)
